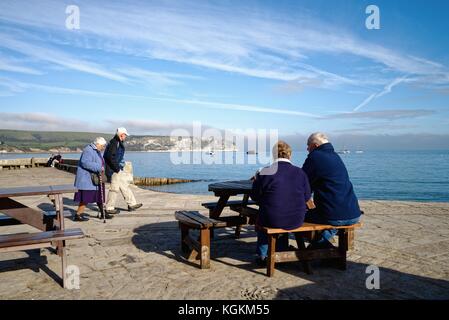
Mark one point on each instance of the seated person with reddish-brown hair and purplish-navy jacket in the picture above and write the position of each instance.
(281, 191)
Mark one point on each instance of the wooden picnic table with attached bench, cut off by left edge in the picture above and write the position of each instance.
(52, 230)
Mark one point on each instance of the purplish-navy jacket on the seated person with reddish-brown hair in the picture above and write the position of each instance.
(281, 196)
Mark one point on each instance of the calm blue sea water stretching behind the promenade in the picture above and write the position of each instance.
(382, 175)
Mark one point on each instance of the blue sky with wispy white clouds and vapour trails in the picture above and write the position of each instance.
(296, 66)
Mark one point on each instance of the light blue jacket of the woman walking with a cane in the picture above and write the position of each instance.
(91, 161)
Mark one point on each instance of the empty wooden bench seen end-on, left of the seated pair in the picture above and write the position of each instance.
(191, 247)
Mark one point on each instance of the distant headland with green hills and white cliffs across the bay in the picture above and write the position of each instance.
(60, 142)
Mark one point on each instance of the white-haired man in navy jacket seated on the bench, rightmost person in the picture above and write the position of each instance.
(334, 197)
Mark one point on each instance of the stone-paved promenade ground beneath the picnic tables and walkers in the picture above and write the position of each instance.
(137, 255)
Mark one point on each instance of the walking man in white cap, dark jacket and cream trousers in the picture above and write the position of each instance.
(114, 157)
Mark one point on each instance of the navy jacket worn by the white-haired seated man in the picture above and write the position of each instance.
(333, 193)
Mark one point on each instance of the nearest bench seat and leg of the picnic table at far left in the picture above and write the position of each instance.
(28, 241)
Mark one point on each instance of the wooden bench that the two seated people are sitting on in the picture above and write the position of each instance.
(345, 243)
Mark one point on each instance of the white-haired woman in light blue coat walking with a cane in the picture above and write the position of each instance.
(91, 162)
